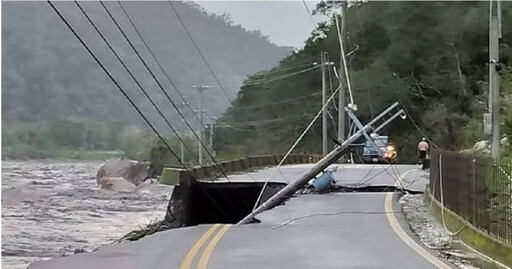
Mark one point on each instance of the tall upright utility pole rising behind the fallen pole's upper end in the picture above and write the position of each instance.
(342, 94)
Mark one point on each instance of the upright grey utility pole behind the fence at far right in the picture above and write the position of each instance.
(494, 79)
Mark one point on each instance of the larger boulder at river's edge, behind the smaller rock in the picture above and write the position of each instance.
(132, 171)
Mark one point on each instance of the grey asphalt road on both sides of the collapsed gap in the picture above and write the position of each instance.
(335, 230)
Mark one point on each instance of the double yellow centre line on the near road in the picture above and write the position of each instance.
(203, 261)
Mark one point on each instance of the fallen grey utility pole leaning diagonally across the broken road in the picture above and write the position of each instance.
(390, 113)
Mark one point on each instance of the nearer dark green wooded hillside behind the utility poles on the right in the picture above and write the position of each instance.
(431, 56)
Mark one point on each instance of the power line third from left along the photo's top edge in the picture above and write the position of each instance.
(160, 86)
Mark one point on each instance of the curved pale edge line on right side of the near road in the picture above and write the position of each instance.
(393, 222)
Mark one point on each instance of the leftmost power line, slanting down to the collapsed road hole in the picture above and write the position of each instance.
(130, 101)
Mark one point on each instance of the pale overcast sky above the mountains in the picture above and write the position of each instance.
(286, 23)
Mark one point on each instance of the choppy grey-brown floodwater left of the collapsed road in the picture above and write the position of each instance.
(55, 208)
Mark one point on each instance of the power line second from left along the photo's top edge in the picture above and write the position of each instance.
(131, 75)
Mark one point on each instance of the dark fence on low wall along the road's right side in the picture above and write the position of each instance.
(476, 188)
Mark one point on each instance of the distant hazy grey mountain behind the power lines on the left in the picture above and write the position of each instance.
(47, 74)
